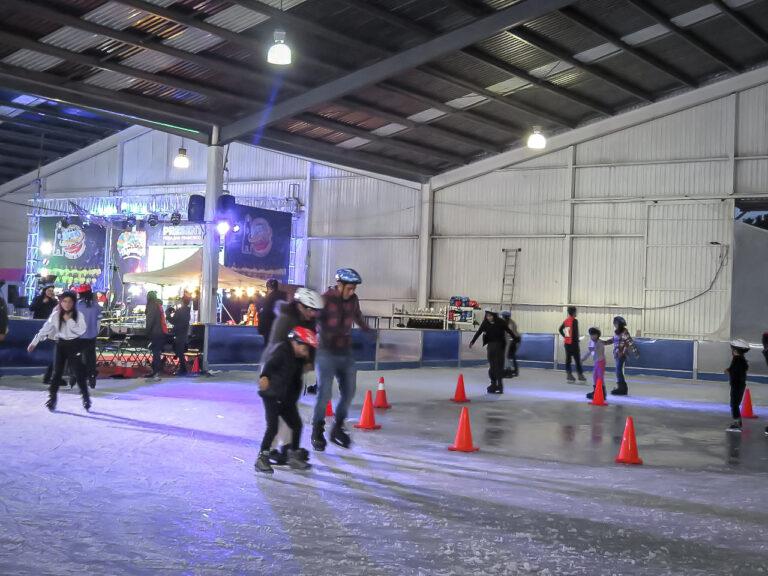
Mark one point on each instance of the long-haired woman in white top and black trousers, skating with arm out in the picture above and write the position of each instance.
(65, 326)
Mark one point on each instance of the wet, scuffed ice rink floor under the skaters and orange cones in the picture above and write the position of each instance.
(159, 480)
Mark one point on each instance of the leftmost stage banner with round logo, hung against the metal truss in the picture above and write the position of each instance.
(77, 251)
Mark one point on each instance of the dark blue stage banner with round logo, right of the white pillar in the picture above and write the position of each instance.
(262, 246)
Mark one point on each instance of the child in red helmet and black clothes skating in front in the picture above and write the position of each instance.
(280, 385)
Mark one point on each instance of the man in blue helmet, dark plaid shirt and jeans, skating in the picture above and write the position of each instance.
(334, 355)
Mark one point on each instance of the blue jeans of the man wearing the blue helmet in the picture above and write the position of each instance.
(342, 367)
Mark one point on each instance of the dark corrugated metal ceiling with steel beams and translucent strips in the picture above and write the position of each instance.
(409, 88)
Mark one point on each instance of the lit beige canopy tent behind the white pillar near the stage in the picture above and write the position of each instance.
(188, 273)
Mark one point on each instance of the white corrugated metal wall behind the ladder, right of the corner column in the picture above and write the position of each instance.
(642, 218)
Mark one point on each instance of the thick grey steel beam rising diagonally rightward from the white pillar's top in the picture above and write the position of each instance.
(395, 64)
